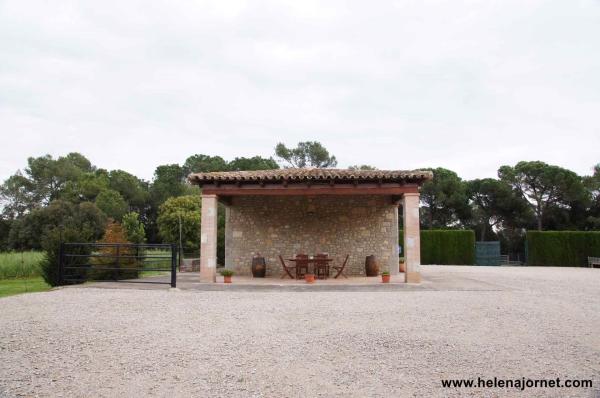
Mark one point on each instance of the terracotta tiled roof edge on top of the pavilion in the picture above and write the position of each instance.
(311, 174)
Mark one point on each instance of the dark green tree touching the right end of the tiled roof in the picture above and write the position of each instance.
(444, 199)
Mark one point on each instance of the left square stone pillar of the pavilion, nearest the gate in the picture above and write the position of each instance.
(208, 239)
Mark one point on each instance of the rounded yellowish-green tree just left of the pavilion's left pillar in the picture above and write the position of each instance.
(184, 209)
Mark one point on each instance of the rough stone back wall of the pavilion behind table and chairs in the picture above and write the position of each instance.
(287, 225)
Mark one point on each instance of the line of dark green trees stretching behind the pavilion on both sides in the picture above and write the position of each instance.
(527, 196)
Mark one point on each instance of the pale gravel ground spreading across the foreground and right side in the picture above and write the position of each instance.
(520, 322)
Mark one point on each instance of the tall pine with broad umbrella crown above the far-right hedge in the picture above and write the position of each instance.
(546, 188)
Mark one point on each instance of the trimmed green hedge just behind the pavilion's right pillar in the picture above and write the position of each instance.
(446, 247)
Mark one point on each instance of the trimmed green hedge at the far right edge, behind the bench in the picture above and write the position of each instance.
(562, 248)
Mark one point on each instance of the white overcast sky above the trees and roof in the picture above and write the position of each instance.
(397, 85)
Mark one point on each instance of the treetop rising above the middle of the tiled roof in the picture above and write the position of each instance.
(306, 154)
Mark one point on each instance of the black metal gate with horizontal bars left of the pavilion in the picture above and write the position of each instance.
(125, 262)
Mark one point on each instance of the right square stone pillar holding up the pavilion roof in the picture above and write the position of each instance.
(412, 238)
